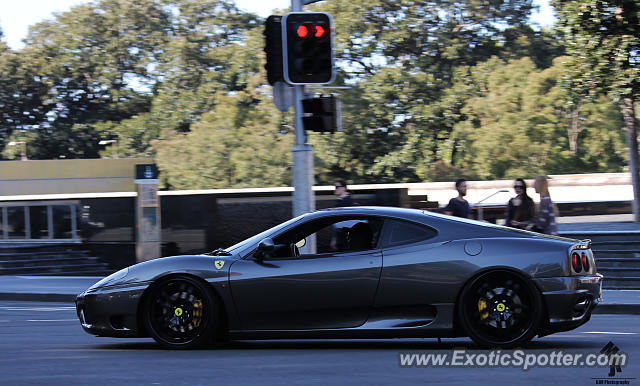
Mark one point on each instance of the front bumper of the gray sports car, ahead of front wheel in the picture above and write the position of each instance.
(111, 311)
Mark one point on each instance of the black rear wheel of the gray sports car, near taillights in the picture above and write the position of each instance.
(500, 309)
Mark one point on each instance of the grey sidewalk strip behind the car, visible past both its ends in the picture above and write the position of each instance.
(65, 289)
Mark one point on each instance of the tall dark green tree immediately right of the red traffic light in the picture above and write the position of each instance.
(401, 57)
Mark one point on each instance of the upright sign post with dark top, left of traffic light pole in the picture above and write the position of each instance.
(148, 240)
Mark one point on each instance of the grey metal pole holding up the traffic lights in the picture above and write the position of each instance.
(303, 199)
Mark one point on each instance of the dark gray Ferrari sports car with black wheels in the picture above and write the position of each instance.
(364, 272)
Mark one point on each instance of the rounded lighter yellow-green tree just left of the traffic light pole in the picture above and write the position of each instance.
(238, 145)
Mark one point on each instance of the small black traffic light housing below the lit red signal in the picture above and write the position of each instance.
(322, 114)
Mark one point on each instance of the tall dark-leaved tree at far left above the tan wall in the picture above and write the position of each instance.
(92, 65)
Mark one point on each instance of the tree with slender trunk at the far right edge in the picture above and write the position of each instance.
(603, 38)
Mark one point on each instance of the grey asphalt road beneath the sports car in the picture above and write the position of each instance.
(43, 343)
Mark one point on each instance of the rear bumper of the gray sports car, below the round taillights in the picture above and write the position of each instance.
(569, 300)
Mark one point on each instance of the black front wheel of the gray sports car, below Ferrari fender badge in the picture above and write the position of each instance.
(181, 312)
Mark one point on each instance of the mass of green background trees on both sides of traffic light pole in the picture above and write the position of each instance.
(438, 90)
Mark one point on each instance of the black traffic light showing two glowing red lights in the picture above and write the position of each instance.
(307, 49)
